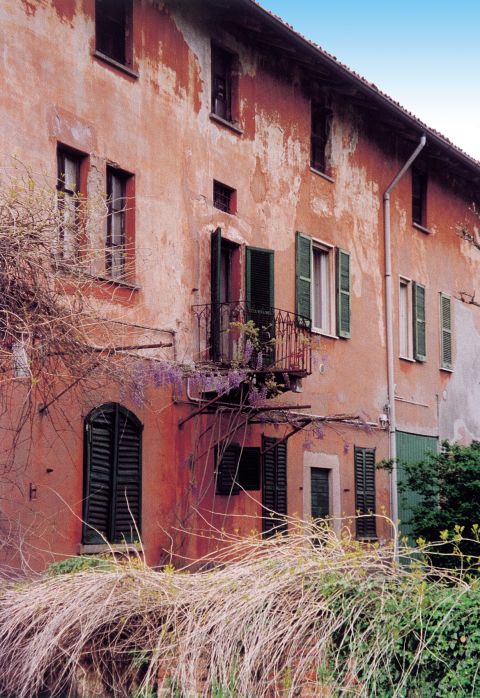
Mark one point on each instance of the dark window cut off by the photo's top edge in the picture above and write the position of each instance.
(113, 20)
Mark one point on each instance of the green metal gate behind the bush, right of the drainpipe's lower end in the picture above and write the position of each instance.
(411, 448)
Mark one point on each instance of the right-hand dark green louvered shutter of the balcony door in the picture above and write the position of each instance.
(260, 298)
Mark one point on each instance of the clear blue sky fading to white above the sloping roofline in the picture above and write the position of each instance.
(424, 54)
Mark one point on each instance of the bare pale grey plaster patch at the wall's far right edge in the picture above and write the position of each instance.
(460, 412)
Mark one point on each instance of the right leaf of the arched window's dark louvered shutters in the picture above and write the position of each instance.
(126, 505)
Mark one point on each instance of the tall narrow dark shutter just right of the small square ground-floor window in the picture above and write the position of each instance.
(274, 487)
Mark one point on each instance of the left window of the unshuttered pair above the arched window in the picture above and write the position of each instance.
(68, 189)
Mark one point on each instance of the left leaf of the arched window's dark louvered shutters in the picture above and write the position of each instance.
(99, 442)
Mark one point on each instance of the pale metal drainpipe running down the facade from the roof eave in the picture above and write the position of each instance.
(389, 332)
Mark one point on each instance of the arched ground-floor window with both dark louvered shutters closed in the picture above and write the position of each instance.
(112, 479)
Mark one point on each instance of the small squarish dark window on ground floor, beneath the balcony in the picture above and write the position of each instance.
(238, 469)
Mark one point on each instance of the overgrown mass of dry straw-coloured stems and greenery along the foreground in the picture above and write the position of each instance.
(271, 618)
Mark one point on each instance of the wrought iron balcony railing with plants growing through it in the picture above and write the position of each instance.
(261, 339)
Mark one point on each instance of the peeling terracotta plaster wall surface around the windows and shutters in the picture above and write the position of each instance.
(157, 126)
